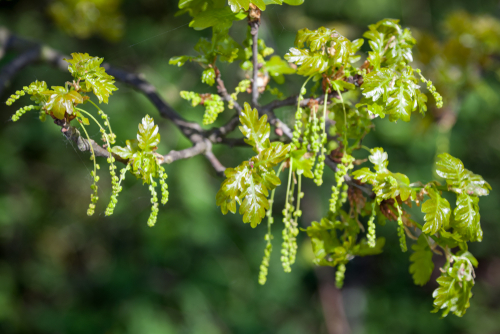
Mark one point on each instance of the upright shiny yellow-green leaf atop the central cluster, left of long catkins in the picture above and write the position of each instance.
(256, 130)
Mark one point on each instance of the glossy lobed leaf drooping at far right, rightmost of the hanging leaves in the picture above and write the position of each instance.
(467, 218)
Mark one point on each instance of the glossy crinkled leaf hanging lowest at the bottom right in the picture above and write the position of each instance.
(454, 289)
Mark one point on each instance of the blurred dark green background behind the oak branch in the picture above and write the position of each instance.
(196, 270)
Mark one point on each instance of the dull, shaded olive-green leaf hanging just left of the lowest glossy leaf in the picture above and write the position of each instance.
(421, 261)
